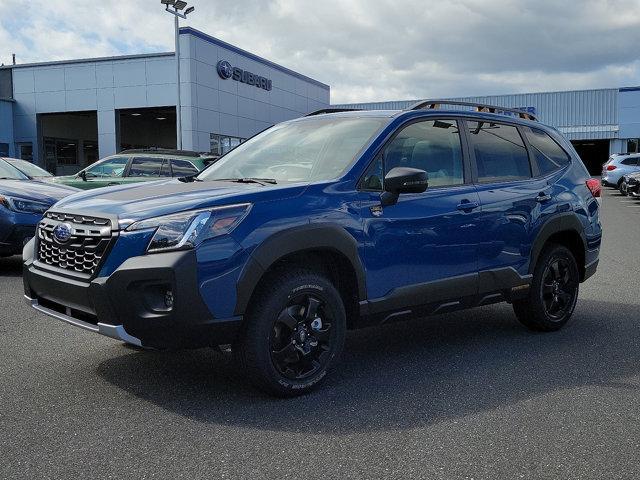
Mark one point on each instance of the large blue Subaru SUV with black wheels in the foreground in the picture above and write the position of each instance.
(325, 223)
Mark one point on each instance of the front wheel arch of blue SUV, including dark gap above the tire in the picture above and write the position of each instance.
(328, 246)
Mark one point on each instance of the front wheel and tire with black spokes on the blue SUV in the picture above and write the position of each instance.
(293, 334)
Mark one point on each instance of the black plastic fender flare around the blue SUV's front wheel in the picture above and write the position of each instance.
(297, 239)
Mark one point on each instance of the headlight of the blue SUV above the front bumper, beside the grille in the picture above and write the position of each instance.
(187, 229)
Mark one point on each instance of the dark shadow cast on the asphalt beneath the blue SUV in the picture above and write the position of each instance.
(403, 375)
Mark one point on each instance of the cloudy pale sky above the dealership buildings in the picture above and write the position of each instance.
(366, 50)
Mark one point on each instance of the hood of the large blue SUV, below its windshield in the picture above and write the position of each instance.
(137, 201)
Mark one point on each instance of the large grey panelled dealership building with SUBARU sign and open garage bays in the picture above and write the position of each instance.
(65, 115)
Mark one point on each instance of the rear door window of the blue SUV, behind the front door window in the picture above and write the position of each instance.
(499, 151)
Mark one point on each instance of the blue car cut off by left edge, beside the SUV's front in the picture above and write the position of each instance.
(22, 203)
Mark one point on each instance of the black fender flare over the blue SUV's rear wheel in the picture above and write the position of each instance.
(566, 230)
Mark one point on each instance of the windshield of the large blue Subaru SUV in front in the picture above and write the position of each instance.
(301, 151)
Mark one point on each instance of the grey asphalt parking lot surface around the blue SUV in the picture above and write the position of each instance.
(465, 395)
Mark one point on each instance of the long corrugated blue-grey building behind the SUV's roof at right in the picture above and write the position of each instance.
(598, 122)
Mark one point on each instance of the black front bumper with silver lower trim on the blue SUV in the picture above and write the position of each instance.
(151, 301)
